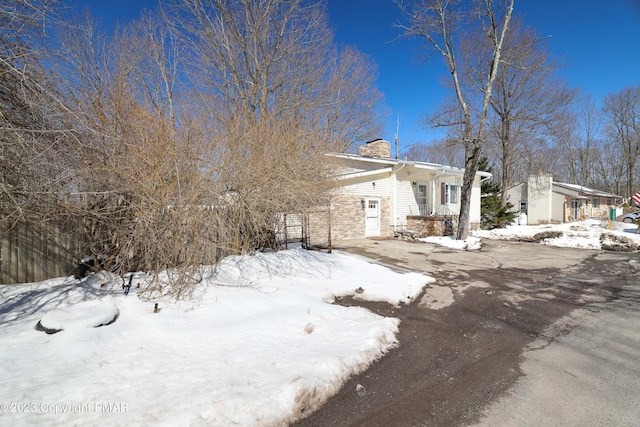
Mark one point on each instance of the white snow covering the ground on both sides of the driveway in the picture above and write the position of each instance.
(259, 343)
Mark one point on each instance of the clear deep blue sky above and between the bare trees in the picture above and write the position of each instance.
(598, 40)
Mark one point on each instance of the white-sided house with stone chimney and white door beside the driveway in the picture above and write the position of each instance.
(381, 196)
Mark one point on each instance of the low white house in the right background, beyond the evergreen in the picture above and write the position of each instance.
(546, 201)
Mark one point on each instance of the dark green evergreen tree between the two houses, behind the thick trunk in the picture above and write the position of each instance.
(493, 214)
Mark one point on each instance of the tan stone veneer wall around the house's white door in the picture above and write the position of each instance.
(348, 217)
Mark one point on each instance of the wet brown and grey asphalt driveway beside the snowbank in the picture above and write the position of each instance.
(516, 334)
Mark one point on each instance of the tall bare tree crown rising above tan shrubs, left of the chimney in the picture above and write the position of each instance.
(277, 58)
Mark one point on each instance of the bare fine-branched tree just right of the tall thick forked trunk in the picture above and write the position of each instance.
(528, 100)
